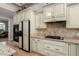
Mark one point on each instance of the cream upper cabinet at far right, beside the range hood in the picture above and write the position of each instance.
(73, 16)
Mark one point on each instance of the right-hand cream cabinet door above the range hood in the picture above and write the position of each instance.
(59, 10)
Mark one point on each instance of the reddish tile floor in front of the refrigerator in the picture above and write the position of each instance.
(19, 52)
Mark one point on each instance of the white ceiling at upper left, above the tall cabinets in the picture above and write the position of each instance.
(10, 8)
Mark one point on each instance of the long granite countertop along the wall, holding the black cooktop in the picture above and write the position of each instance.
(66, 40)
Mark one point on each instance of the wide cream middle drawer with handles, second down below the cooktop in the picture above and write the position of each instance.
(55, 48)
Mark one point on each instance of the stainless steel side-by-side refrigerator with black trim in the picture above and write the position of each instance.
(24, 32)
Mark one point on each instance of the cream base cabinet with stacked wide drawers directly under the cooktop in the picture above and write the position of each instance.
(53, 49)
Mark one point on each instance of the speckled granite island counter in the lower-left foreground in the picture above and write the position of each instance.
(5, 50)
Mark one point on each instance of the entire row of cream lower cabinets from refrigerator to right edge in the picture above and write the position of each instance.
(54, 48)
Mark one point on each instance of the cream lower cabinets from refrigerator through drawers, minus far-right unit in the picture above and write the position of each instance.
(48, 48)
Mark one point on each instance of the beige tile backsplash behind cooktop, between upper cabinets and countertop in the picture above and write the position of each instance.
(58, 29)
